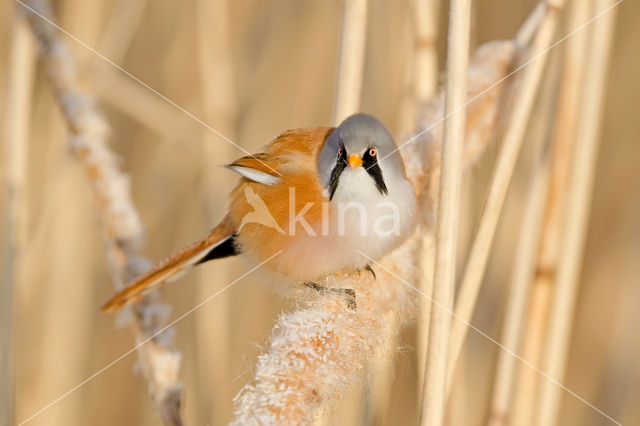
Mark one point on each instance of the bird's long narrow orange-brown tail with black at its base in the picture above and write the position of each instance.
(218, 243)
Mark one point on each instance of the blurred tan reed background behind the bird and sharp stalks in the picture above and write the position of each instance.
(251, 69)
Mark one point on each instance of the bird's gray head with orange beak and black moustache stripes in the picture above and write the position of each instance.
(361, 140)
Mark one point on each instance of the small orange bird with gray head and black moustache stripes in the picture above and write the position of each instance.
(311, 203)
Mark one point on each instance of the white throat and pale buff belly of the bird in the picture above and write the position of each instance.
(360, 220)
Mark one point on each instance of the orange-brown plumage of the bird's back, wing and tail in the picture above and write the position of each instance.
(292, 155)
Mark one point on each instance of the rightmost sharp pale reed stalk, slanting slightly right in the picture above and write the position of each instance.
(556, 349)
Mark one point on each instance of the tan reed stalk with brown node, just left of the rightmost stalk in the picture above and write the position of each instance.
(561, 149)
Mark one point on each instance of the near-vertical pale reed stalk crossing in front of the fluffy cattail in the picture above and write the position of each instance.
(452, 163)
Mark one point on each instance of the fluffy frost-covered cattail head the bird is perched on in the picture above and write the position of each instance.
(317, 351)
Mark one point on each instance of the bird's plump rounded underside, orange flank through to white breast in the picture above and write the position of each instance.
(310, 236)
